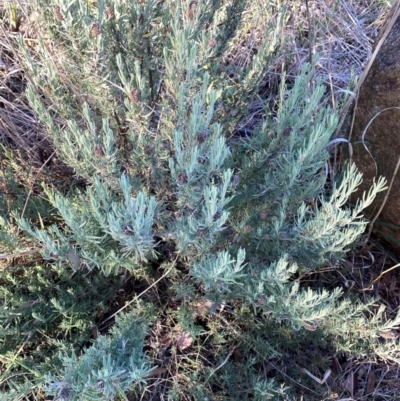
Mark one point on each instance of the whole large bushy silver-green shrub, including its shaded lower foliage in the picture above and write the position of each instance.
(147, 103)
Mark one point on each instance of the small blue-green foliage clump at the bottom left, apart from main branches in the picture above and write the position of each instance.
(113, 364)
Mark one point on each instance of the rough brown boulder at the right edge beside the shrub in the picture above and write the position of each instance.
(376, 131)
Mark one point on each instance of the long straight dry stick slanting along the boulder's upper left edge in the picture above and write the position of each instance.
(364, 74)
